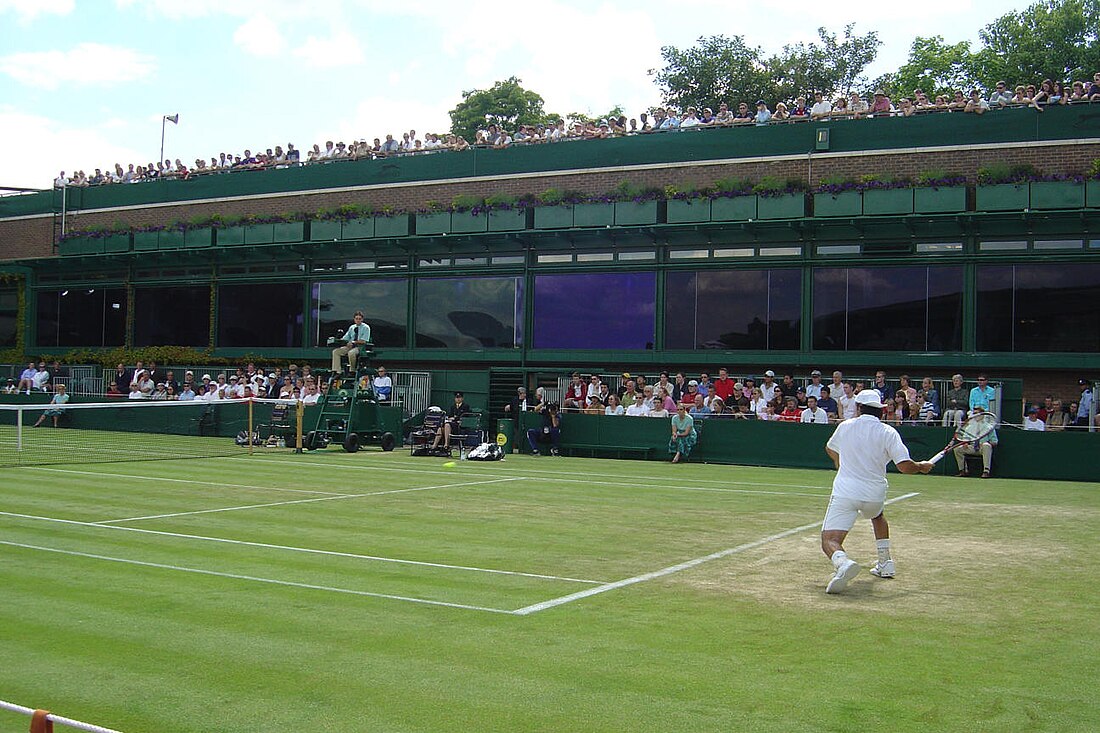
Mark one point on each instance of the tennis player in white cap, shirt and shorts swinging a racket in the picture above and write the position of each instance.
(862, 448)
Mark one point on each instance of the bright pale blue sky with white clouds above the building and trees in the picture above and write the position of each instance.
(85, 84)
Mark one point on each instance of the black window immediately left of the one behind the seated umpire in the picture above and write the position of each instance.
(261, 315)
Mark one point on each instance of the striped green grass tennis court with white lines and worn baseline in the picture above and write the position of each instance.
(377, 593)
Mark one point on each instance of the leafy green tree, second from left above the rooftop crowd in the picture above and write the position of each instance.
(714, 71)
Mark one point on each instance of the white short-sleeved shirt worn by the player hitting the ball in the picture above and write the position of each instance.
(866, 446)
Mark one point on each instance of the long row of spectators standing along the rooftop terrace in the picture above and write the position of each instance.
(656, 121)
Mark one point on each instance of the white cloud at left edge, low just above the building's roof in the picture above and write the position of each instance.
(47, 147)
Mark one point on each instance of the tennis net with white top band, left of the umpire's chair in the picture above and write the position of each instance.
(39, 435)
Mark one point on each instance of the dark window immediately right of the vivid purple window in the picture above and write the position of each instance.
(733, 310)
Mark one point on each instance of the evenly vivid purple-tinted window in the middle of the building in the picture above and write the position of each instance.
(599, 311)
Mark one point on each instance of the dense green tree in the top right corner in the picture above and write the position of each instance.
(1054, 39)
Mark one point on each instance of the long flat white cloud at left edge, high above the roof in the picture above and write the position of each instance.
(89, 63)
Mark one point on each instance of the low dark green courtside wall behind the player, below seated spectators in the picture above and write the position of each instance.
(1020, 455)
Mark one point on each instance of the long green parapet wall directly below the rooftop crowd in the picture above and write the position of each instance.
(846, 136)
